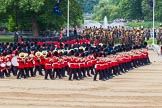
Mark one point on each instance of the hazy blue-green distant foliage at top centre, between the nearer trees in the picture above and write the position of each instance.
(88, 5)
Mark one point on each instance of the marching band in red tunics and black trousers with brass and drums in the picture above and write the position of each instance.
(77, 63)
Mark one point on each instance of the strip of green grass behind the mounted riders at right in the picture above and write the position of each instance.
(147, 24)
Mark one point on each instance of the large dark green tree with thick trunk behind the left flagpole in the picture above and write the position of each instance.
(38, 15)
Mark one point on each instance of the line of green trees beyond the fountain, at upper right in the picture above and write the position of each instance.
(129, 9)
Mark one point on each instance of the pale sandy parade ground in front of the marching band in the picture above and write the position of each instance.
(140, 88)
